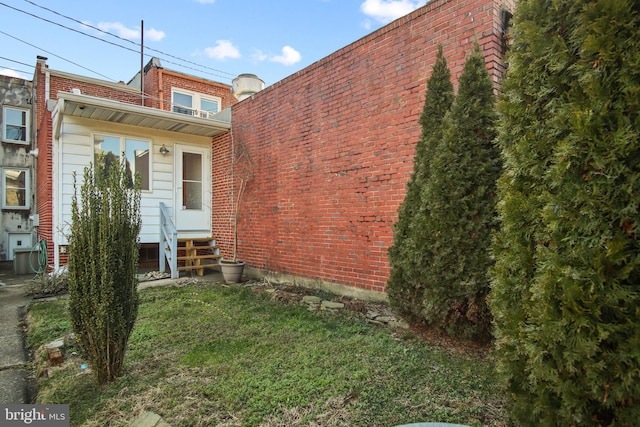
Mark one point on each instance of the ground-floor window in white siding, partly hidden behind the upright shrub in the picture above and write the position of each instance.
(136, 154)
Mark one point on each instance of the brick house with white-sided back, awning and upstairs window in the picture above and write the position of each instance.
(167, 143)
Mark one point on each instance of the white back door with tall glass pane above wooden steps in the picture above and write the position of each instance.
(193, 190)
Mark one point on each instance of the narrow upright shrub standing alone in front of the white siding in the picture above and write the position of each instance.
(103, 257)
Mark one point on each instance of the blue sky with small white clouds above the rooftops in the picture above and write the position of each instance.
(214, 39)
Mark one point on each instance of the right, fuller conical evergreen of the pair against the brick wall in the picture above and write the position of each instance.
(455, 231)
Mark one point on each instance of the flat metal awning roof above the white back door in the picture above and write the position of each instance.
(108, 110)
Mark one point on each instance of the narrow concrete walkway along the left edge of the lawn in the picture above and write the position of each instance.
(13, 361)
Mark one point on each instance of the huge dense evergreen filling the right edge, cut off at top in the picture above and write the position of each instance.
(566, 283)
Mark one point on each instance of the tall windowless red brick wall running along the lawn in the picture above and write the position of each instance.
(332, 146)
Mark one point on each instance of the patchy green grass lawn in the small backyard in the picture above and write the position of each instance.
(204, 355)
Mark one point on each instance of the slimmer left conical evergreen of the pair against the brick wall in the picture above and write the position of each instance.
(405, 282)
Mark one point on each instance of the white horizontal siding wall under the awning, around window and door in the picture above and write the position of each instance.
(75, 152)
